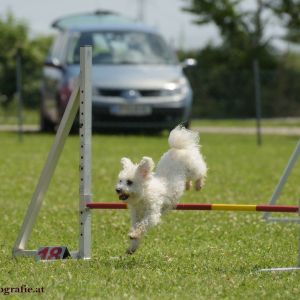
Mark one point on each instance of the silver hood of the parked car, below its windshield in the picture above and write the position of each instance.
(136, 77)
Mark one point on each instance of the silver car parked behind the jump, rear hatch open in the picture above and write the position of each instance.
(137, 79)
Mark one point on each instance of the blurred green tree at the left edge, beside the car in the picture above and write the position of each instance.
(14, 38)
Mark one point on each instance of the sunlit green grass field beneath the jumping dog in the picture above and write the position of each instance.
(190, 255)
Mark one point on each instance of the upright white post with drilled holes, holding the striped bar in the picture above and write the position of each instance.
(85, 132)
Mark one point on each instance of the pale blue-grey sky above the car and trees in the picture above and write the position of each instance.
(166, 15)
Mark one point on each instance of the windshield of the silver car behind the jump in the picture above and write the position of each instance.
(122, 48)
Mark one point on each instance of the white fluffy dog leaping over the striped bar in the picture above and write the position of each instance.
(149, 194)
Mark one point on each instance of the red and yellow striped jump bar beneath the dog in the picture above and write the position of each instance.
(199, 206)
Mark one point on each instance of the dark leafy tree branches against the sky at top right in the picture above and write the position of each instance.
(245, 30)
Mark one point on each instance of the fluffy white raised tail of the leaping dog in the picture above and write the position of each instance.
(182, 138)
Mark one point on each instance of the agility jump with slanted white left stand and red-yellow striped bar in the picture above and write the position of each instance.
(81, 97)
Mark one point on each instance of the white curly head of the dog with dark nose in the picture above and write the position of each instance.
(132, 178)
